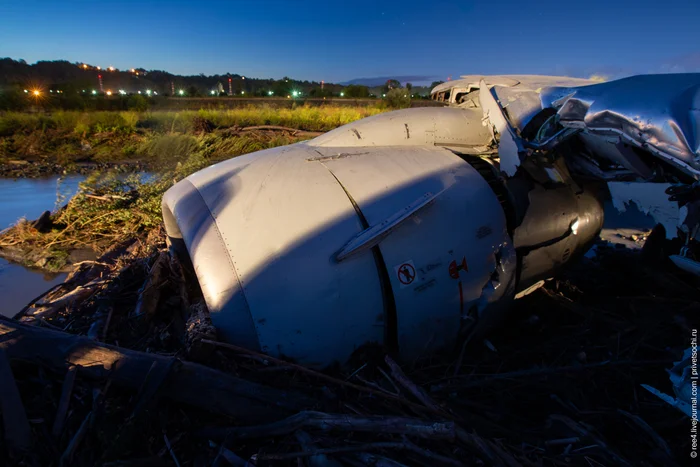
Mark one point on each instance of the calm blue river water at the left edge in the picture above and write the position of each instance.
(29, 198)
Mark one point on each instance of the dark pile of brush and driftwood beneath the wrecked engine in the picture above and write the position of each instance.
(120, 366)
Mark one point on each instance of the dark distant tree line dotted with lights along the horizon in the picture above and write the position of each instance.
(77, 86)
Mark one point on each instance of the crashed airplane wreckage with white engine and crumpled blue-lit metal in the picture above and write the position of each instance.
(416, 228)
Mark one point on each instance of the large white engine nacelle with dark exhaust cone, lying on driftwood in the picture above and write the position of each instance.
(311, 250)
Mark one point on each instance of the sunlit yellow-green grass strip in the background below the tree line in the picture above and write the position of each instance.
(70, 136)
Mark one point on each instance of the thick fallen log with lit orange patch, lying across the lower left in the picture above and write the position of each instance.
(189, 383)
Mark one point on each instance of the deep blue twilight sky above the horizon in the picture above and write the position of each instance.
(416, 41)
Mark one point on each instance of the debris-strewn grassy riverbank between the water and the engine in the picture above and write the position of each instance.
(111, 207)
